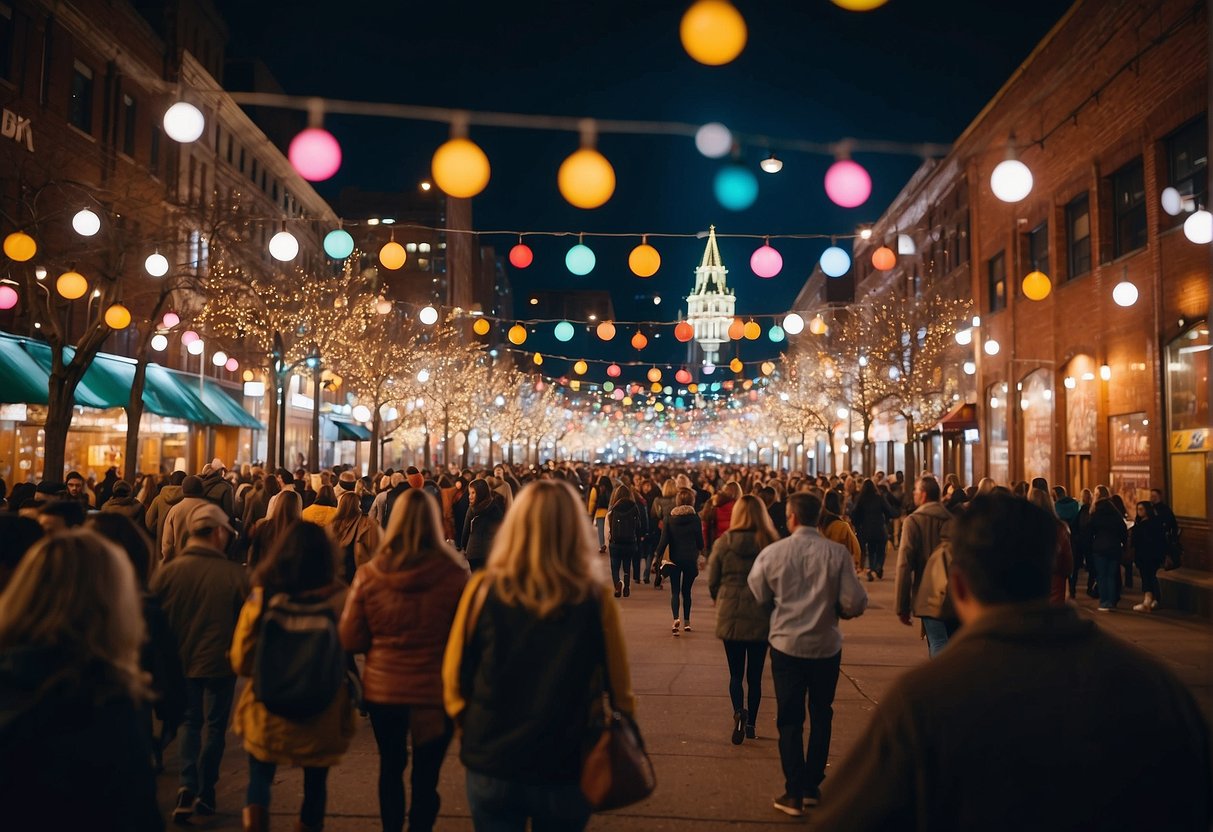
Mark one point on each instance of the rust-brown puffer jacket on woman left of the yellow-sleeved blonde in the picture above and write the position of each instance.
(402, 620)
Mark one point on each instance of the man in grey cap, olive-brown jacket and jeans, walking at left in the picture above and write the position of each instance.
(202, 592)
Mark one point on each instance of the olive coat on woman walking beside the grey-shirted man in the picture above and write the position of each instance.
(739, 617)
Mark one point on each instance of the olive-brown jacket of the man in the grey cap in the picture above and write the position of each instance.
(202, 594)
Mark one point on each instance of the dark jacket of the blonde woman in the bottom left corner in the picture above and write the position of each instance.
(73, 757)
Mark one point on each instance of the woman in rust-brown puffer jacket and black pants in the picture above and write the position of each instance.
(400, 614)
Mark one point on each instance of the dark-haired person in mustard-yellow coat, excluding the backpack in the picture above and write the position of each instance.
(301, 566)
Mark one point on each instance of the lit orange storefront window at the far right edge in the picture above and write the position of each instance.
(1188, 414)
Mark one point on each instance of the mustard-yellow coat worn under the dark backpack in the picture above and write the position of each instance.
(318, 742)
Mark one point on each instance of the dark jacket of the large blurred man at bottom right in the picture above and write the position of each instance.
(926, 760)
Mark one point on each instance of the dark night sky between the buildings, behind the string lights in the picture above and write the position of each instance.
(913, 71)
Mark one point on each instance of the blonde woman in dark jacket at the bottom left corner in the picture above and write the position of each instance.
(75, 753)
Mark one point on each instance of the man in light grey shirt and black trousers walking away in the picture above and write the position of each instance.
(812, 584)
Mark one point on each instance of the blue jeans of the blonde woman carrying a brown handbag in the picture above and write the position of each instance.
(504, 806)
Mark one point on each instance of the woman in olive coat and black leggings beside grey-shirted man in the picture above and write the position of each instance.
(742, 623)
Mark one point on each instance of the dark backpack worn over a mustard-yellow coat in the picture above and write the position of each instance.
(299, 663)
